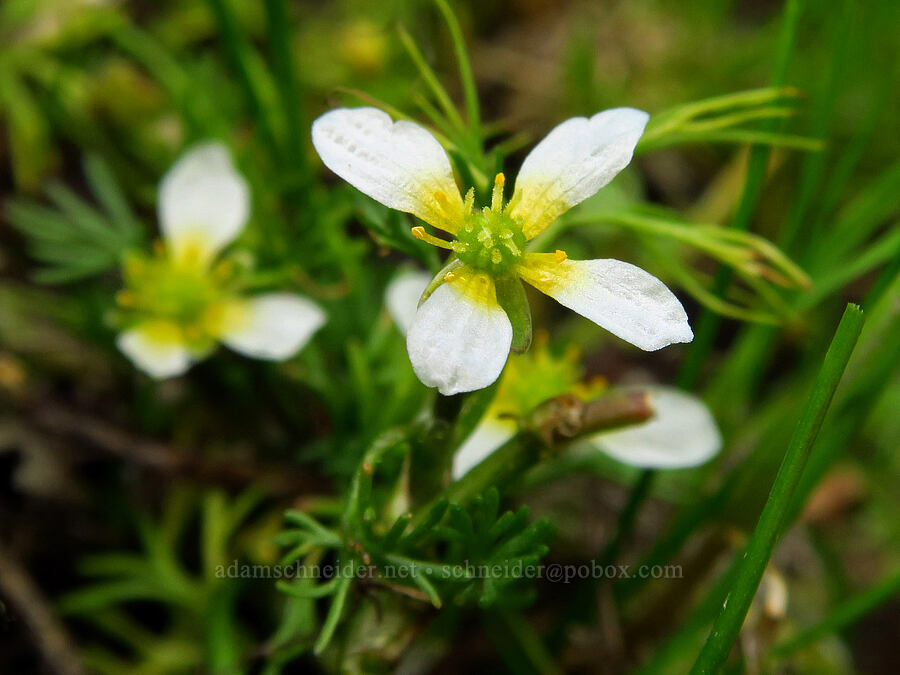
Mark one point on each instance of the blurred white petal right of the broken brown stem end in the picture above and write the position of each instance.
(681, 433)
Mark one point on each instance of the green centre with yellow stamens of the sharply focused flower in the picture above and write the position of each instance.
(489, 240)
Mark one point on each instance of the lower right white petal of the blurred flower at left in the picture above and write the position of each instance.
(273, 326)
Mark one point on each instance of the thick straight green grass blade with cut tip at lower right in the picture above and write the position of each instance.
(769, 528)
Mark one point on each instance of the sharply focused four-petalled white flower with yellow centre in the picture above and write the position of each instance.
(461, 337)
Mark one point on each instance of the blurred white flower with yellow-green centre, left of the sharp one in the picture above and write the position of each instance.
(178, 303)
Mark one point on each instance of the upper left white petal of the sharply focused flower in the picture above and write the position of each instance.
(398, 163)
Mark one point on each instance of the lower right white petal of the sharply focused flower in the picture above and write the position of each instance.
(618, 296)
